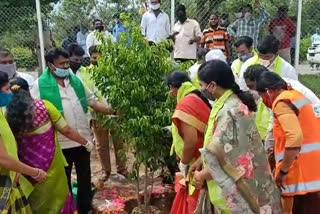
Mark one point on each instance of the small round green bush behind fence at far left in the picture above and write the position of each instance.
(24, 57)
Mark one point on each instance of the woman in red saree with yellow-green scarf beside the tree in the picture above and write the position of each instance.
(188, 124)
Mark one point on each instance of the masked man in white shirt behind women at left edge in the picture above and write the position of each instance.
(8, 65)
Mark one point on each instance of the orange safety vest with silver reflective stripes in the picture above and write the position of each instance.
(304, 175)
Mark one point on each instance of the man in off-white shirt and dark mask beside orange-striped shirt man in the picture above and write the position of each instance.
(186, 35)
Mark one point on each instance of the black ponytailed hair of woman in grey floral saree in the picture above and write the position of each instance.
(221, 73)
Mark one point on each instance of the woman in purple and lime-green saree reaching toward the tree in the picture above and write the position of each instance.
(35, 124)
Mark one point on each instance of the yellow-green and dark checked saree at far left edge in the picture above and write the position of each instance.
(13, 190)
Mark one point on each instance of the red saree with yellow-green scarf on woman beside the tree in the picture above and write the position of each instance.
(193, 111)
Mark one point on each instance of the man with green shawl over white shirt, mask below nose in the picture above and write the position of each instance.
(67, 93)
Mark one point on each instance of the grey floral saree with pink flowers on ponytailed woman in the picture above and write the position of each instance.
(238, 163)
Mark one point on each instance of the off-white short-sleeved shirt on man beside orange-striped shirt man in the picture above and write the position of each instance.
(187, 31)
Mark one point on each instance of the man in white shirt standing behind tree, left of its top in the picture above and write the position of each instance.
(92, 40)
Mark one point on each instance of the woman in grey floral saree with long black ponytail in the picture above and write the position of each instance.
(233, 153)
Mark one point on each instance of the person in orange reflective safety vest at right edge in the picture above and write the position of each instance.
(297, 144)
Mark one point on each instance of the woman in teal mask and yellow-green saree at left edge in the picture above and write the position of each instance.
(14, 188)
